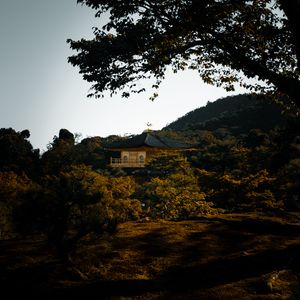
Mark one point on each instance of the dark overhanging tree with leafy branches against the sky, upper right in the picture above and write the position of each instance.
(221, 39)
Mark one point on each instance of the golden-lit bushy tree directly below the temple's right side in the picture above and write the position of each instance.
(172, 191)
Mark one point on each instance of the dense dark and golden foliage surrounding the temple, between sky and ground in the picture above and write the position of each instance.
(70, 193)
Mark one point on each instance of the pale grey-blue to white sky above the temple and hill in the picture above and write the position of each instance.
(40, 91)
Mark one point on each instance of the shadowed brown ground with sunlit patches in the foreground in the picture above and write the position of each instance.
(230, 256)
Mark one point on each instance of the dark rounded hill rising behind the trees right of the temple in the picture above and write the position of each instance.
(238, 114)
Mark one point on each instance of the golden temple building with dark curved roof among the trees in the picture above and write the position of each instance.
(136, 151)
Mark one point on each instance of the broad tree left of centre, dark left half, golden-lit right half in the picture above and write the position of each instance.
(74, 203)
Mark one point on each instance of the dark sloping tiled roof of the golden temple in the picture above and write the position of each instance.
(148, 139)
